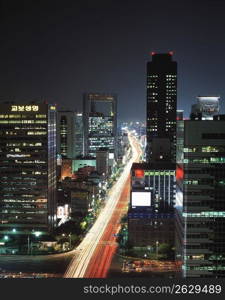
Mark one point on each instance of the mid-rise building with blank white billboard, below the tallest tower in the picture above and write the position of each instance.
(151, 213)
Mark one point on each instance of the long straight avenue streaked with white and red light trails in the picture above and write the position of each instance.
(96, 251)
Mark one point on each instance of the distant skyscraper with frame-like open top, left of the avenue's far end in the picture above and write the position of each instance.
(100, 123)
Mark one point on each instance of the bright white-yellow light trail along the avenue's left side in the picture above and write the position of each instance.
(85, 251)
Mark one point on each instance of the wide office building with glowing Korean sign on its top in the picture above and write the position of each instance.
(27, 167)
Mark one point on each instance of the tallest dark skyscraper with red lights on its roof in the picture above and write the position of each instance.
(161, 108)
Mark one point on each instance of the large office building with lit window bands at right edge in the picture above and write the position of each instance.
(200, 205)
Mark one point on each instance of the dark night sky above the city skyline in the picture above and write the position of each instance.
(60, 49)
